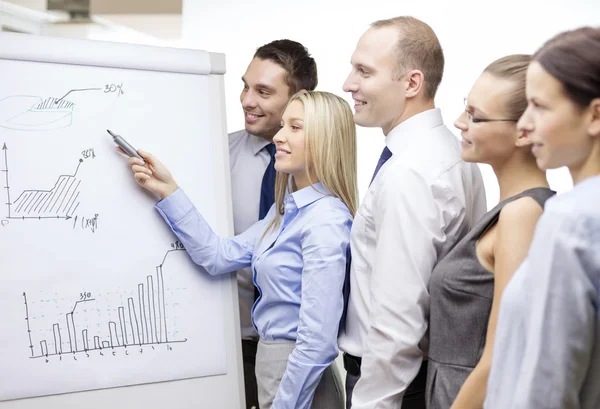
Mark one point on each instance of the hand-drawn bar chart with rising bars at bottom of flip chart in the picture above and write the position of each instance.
(147, 323)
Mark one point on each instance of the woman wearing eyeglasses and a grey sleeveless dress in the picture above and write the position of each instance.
(466, 285)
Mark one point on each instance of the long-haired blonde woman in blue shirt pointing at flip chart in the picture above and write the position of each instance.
(297, 252)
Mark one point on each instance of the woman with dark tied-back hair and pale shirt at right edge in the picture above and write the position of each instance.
(548, 352)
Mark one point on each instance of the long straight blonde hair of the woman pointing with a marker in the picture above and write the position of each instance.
(330, 146)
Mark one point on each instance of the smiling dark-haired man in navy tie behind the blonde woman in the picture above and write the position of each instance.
(277, 71)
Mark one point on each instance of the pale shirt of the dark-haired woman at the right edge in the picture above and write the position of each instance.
(547, 344)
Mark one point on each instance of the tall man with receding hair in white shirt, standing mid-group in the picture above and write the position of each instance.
(421, 201)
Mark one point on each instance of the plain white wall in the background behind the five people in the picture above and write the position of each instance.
(472, 33)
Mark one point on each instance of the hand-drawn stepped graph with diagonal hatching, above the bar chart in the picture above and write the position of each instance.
(60, 202)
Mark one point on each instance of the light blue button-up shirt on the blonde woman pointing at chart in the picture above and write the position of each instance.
(299, 269)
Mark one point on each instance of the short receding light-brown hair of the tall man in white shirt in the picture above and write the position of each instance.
(418, 48)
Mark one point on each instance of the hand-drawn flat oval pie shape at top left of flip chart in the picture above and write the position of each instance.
(35, 113)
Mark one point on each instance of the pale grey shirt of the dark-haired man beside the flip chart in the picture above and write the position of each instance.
(248, 162)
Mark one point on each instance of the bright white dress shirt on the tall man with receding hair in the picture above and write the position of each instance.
(423, 200)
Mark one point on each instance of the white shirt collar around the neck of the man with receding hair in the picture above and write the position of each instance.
(411, 129)
